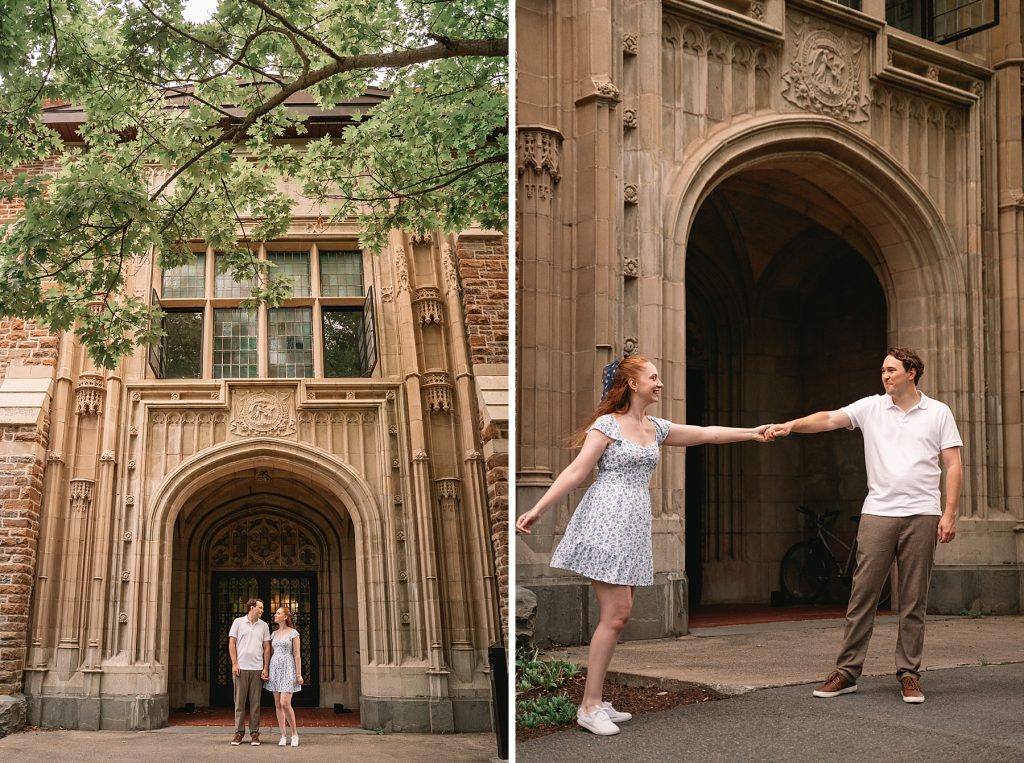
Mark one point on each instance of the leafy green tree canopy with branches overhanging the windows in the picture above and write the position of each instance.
(186, 136)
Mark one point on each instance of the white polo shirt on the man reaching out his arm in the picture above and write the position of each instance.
(903, 453)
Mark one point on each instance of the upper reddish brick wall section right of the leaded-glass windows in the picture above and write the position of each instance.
(484, 268)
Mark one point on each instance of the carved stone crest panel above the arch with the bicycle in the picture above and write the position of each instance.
(827, 71)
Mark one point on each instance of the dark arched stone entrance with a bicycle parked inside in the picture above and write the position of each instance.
(807, 252)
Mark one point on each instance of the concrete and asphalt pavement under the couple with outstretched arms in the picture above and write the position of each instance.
(973, 681)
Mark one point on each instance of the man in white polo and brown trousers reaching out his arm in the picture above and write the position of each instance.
(907, 437)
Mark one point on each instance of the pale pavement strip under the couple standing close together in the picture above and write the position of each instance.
(211, 744)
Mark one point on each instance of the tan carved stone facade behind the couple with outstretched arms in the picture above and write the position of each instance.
(762, 197)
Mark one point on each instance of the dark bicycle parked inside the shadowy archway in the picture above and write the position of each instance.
(810, 570)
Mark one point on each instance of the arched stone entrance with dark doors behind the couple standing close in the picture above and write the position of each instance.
(265, 528)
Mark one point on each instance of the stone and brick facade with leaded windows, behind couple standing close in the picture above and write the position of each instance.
(141, 507)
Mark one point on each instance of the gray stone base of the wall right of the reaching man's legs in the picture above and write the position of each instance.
(975, 589)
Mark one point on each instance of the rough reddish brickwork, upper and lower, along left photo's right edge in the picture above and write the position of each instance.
(484, 270)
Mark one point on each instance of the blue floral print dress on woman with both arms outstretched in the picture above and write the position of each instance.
(609, 537)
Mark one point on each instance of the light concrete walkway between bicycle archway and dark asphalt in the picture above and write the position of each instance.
(739, 659)
